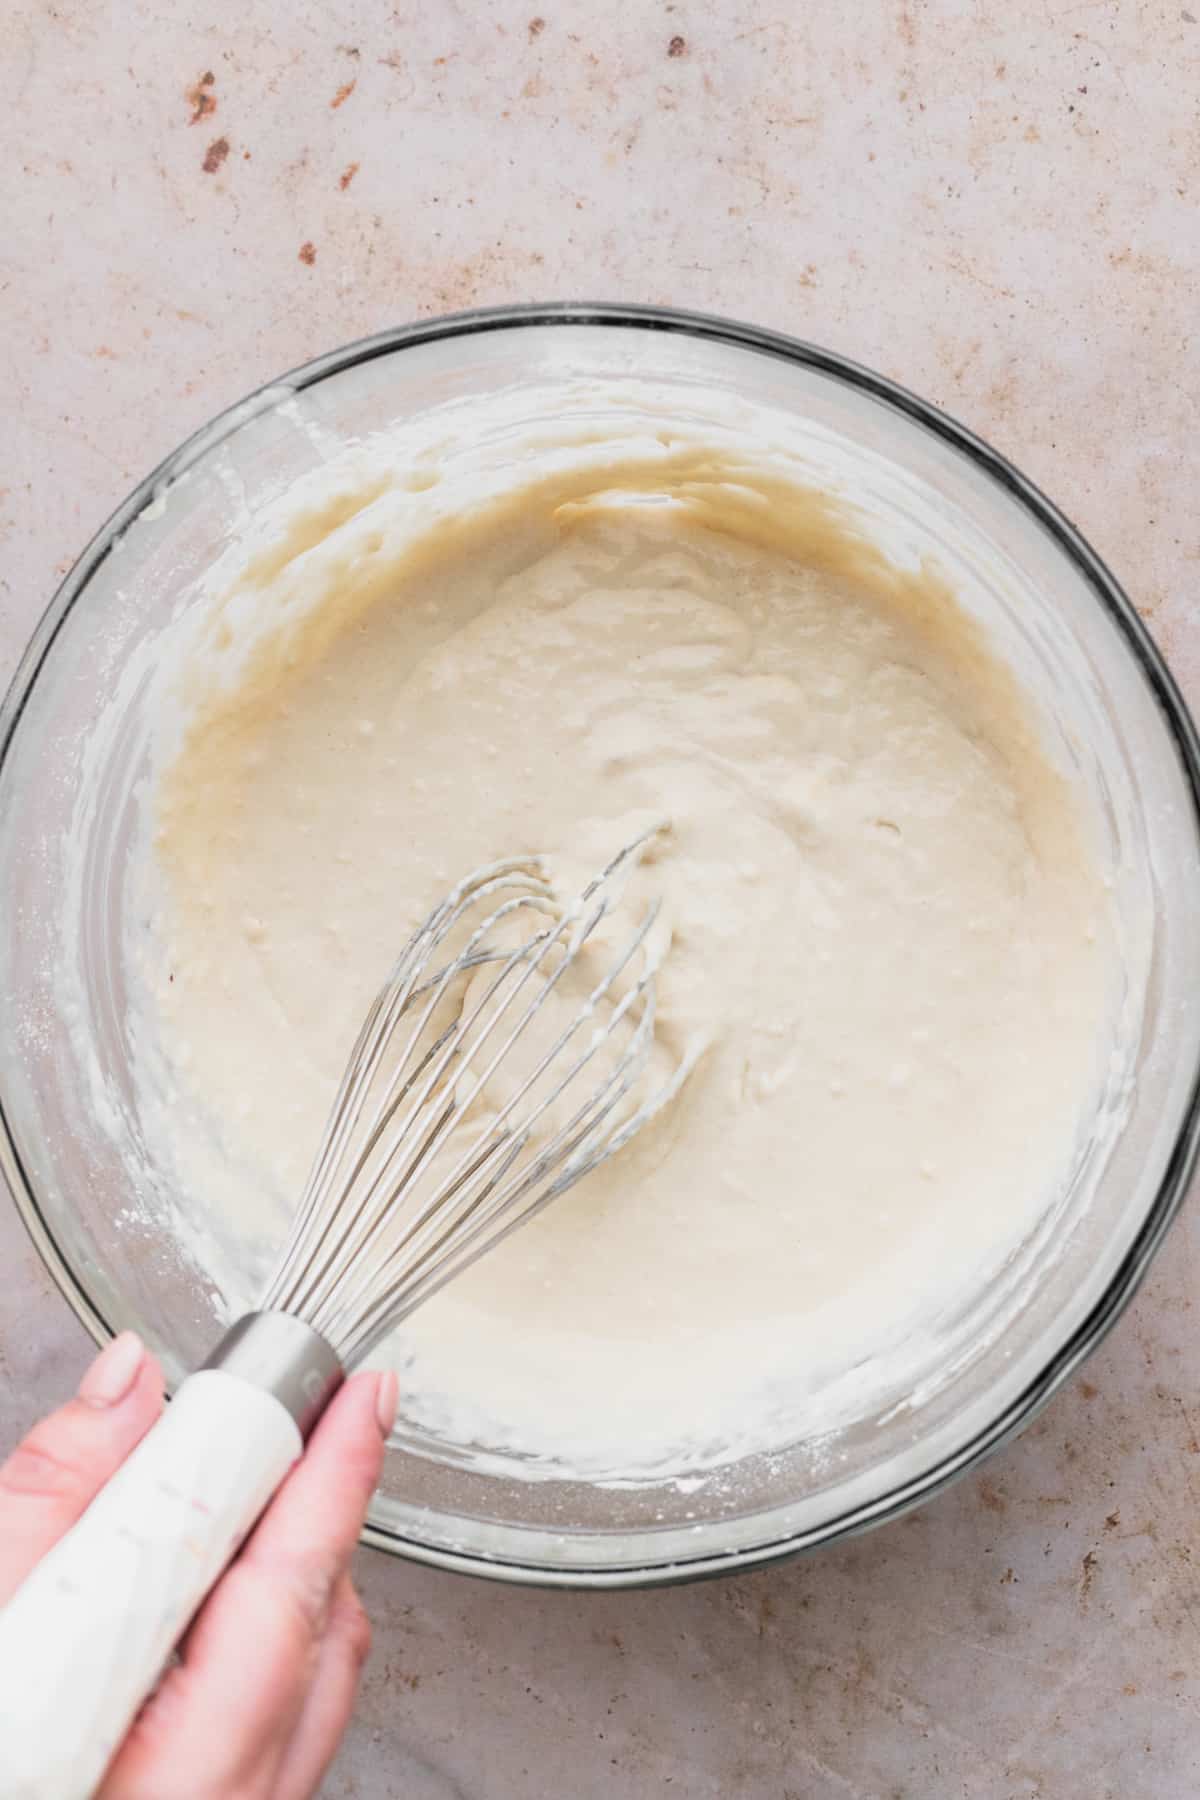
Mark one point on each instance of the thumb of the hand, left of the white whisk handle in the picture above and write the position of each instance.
(66, 1461)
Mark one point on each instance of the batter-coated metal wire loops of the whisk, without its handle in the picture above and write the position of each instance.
(510, 1052)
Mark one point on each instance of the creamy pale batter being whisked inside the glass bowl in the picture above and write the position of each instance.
(884, 904)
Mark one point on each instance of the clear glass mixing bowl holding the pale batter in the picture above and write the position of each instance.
(69, 1133)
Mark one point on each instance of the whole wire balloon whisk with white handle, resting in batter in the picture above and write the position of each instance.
(510, 1052)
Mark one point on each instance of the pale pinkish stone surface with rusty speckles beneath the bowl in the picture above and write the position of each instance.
(996, 206)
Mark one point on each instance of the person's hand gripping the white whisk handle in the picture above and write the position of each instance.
(267, 1675)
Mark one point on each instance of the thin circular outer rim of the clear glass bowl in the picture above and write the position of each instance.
(1106, 589)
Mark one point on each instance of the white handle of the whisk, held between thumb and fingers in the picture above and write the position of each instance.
(87, 1635)
